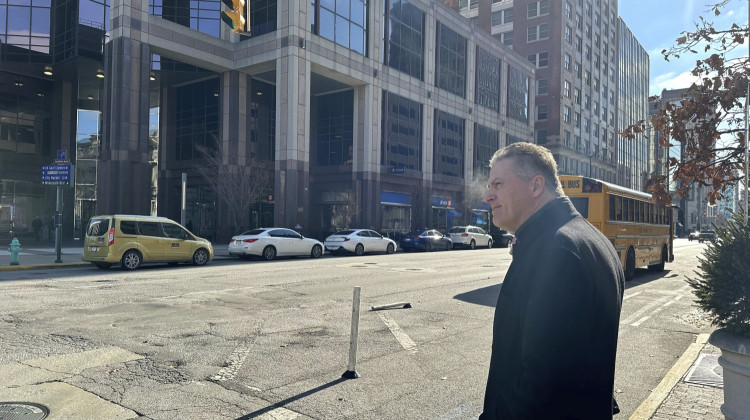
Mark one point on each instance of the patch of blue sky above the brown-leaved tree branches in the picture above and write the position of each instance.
(658, 23)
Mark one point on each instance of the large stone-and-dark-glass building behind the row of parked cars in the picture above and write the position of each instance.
(395, 106)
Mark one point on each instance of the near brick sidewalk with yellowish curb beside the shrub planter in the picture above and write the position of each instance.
(692, 389)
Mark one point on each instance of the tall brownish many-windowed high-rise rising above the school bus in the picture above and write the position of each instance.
(592, 81)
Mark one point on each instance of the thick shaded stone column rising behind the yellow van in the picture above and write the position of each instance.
(124, 174)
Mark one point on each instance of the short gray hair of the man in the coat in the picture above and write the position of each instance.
(530, 160)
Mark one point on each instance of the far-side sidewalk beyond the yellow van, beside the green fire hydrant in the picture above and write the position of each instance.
(43, 255)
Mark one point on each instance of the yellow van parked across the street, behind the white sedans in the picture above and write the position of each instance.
(135, 240)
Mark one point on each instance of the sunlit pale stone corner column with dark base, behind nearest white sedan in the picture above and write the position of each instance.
(292, 175)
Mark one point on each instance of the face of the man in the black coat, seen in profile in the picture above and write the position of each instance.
(509, 196)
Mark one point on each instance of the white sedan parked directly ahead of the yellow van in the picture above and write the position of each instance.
(270, 243)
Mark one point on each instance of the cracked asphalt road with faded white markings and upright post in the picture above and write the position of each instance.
(254, 339)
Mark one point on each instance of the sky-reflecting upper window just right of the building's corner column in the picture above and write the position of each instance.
(343, 22)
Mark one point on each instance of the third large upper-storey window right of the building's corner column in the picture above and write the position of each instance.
(451, 61)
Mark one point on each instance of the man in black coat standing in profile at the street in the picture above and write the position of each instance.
(557, 316)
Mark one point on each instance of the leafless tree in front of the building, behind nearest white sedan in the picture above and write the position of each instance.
(238, 185)
